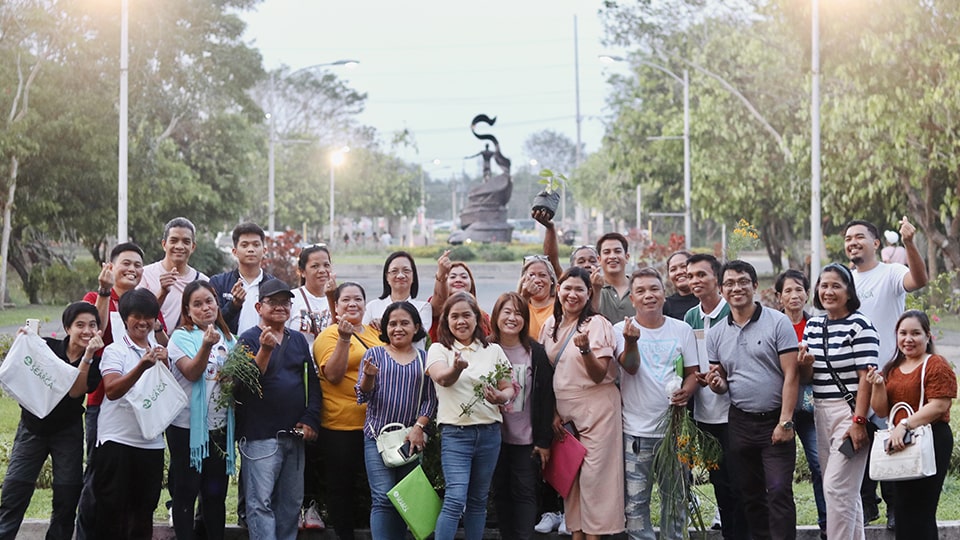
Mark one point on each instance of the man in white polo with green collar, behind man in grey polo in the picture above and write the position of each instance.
(710, 409)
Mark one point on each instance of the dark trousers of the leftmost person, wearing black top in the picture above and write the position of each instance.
(29, 452)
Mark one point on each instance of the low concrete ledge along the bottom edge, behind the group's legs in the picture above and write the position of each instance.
(36, 529)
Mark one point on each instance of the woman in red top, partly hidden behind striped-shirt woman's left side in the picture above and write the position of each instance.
(791, 292)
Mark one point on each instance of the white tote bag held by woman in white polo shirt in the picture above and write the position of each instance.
(156, 399)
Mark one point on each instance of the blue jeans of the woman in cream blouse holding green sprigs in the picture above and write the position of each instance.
(468, 455)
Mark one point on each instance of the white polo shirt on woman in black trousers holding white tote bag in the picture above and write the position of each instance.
(117, 421)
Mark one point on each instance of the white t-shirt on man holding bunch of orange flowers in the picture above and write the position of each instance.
(662, 351)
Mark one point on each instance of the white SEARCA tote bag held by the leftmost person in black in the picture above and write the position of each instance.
(36, 377)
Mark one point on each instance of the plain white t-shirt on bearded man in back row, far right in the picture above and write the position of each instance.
(882, 300)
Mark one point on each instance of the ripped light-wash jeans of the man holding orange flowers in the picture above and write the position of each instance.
(638, 472)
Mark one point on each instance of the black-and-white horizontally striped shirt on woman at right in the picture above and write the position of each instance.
(853, 345)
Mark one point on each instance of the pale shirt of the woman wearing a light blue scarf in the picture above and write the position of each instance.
(186, 343)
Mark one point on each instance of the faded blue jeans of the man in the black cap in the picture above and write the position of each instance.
(273, 479)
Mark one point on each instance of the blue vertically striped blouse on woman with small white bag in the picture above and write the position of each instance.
(395, 391)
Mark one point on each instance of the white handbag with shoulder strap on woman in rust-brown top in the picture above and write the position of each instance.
(916, 460)
